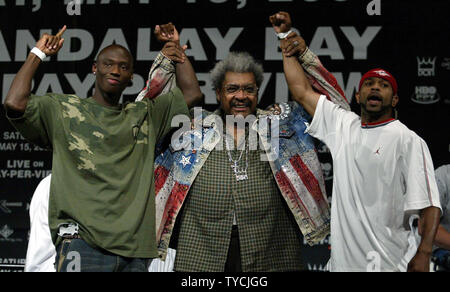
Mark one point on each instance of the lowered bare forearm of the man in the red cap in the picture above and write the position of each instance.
(429, 225)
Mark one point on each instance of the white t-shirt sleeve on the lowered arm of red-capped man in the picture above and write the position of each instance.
(418, 171)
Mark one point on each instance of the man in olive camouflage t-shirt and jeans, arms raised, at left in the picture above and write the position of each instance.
(102, 189)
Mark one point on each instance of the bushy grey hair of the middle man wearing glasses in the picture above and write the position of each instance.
(236, 62)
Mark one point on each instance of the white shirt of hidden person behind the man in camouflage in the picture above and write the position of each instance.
(41, 253)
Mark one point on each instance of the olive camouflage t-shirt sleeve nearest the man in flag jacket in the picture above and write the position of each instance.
(165, 108)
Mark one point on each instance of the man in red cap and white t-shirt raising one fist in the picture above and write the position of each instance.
(383, 173)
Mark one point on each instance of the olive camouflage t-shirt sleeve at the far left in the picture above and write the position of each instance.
(36, 123)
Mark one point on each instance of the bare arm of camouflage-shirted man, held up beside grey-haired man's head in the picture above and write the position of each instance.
(188, 83)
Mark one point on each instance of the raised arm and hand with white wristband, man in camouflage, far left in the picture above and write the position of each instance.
(17, 98)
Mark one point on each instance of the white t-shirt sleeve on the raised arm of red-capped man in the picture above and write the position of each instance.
(327, 120)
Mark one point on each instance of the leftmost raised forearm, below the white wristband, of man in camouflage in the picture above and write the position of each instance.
(20, 90)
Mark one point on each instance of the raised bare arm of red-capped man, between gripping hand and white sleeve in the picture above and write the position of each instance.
(299, 85)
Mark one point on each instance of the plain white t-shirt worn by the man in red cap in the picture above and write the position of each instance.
(383, 173)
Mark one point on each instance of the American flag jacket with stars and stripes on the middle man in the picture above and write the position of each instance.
(296, 166)
